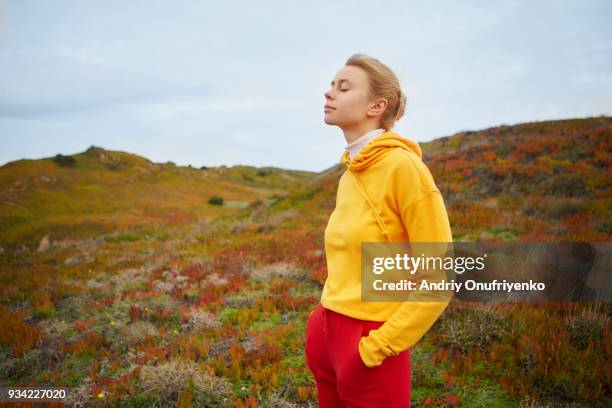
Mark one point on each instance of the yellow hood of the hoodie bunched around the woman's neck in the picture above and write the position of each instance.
(375, 150)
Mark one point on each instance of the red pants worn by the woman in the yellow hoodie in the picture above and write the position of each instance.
(343, 380)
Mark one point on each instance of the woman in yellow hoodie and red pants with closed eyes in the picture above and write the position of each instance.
(359, 352)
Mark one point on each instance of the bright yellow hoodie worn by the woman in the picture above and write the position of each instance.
(387, 194)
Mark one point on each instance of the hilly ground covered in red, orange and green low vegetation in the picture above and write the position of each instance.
(143, 285)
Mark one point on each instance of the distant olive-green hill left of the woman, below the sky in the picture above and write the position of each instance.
(100, 191)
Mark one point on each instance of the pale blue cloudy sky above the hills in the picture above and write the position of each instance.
(206, 83)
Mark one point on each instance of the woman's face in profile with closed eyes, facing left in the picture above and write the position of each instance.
(347, 102)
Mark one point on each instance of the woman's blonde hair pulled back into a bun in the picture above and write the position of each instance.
(383, 84)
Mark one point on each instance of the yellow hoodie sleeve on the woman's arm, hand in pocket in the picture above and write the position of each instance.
(425, 220)
